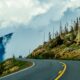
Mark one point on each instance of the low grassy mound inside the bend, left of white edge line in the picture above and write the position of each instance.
(12, 65)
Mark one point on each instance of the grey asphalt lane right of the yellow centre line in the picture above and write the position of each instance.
(73, 71)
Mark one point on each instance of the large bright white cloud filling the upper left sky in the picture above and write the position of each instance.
(20, 10)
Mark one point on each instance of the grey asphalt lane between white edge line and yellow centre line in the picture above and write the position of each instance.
(43, 70)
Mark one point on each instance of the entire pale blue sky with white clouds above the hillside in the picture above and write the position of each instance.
(30, 19)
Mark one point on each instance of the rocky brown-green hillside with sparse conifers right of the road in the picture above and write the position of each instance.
(65, 45)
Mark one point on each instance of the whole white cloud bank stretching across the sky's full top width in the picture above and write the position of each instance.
(22, 11)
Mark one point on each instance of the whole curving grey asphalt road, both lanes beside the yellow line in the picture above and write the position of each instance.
(48, 70)
